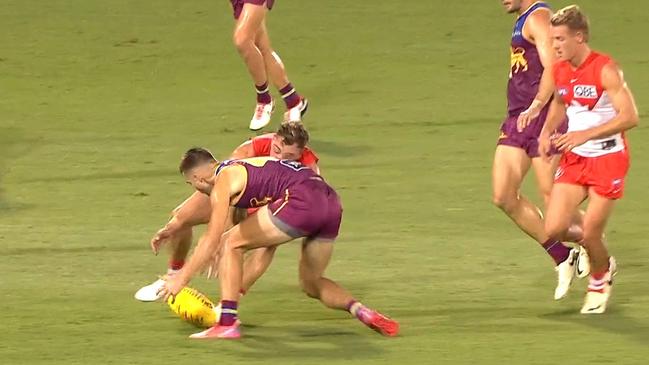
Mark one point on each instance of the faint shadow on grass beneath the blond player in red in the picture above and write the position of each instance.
(613, 321)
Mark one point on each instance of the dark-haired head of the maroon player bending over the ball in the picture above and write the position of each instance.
(197, 166)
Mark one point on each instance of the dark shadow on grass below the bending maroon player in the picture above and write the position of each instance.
(294, 343)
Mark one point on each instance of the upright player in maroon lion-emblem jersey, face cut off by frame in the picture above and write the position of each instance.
(529, 88)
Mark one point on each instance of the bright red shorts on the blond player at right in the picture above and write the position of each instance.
(605, 174)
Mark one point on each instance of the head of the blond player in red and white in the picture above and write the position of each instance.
(570, 31)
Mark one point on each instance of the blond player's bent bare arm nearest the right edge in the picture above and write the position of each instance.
(622, 100)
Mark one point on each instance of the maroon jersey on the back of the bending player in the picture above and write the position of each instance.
(268, 179)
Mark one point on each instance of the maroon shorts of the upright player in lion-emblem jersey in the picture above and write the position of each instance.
(528, 139)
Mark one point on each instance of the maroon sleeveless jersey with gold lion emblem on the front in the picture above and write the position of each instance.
(525, 66)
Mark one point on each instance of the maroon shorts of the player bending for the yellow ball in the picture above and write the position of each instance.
(311, 209)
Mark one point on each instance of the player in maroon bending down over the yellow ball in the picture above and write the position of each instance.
(302, 206)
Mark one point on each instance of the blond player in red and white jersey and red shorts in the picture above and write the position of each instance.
(591, 91)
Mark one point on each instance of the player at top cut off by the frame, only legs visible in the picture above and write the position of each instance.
(263, 63)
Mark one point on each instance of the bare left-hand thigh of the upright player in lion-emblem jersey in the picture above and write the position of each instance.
(509, 168)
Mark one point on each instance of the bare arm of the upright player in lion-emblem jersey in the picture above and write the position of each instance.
(537, 28)
